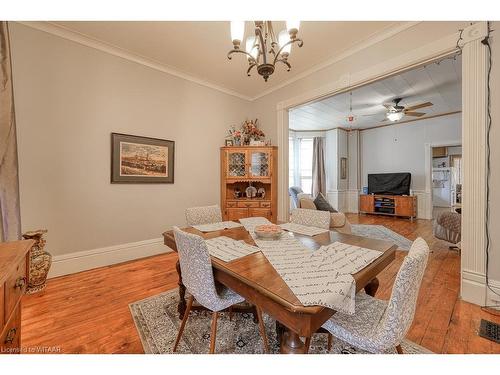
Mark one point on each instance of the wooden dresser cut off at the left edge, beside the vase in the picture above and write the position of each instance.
(13, 271)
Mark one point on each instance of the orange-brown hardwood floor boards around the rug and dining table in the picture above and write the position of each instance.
(88, 312)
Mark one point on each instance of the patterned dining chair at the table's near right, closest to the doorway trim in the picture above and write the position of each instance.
(379, 325)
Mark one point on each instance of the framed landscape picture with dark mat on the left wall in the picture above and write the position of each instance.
(139, 160)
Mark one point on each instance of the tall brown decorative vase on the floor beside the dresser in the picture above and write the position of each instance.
(39, 262)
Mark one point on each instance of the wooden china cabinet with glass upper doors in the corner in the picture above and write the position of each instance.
(244, 166)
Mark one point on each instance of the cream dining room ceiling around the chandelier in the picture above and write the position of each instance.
(199, 49)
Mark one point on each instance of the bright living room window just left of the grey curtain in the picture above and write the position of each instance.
(300, 162)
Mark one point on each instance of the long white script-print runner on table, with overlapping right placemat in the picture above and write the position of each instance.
(316, 277)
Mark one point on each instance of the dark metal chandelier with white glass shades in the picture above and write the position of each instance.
(264, 50)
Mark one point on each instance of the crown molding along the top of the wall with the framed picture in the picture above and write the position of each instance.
(111, 49)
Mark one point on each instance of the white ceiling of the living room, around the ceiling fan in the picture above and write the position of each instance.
(439, 84)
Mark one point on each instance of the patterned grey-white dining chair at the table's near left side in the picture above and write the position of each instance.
(198, 278)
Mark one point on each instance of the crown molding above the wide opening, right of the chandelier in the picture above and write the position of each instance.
(370, 41)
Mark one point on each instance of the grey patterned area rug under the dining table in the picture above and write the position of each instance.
(157, 322)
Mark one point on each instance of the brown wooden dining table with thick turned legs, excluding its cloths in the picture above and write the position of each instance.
(255, 279)
